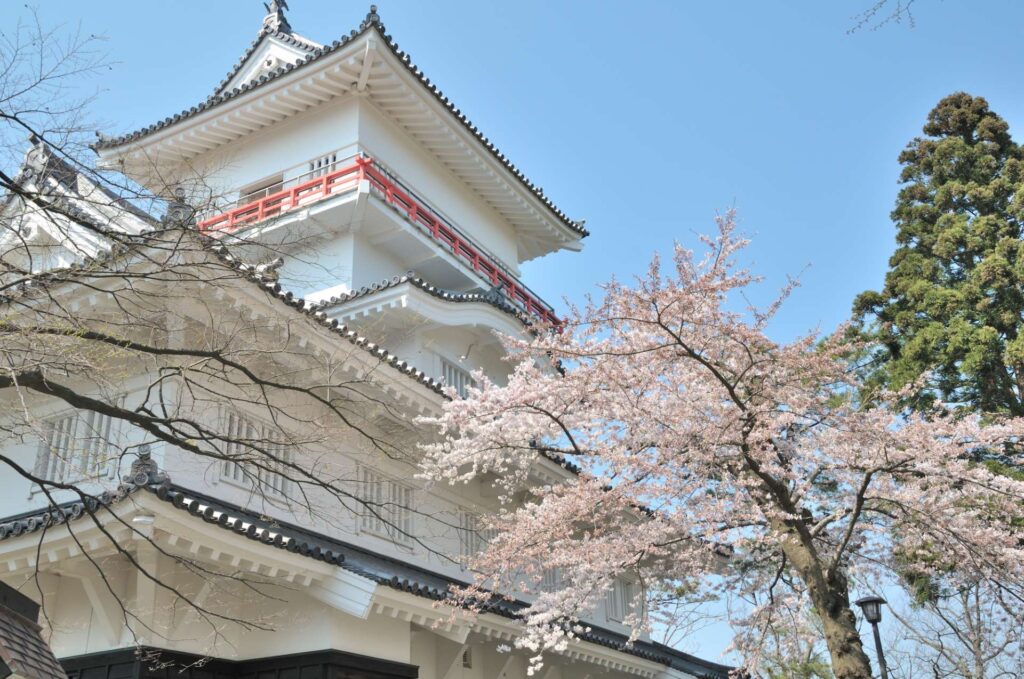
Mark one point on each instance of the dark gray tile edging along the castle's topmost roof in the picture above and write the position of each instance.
(371, 23)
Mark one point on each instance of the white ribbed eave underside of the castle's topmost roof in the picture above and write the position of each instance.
(369, 67)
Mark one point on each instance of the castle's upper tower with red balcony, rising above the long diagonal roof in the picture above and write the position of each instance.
(391, 208)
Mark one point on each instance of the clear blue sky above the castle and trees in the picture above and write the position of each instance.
(645, 118)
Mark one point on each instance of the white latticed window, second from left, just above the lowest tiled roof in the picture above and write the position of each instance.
(249, 442)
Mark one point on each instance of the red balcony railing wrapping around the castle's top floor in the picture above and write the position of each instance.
(345, 178)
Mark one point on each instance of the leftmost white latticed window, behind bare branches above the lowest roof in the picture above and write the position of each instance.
(77, 446)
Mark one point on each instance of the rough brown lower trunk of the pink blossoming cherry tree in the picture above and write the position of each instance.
(831, 599)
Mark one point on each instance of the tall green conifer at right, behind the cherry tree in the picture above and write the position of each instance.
(953, 303)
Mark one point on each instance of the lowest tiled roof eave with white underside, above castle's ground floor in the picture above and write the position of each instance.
(232, 535)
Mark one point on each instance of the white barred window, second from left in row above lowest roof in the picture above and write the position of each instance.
(240, 427)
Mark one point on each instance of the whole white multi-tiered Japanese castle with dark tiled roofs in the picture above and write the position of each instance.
(391, 233)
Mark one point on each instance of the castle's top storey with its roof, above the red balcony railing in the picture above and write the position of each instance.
(293, 111)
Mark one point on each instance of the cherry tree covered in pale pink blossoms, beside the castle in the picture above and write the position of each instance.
(709, 455)
